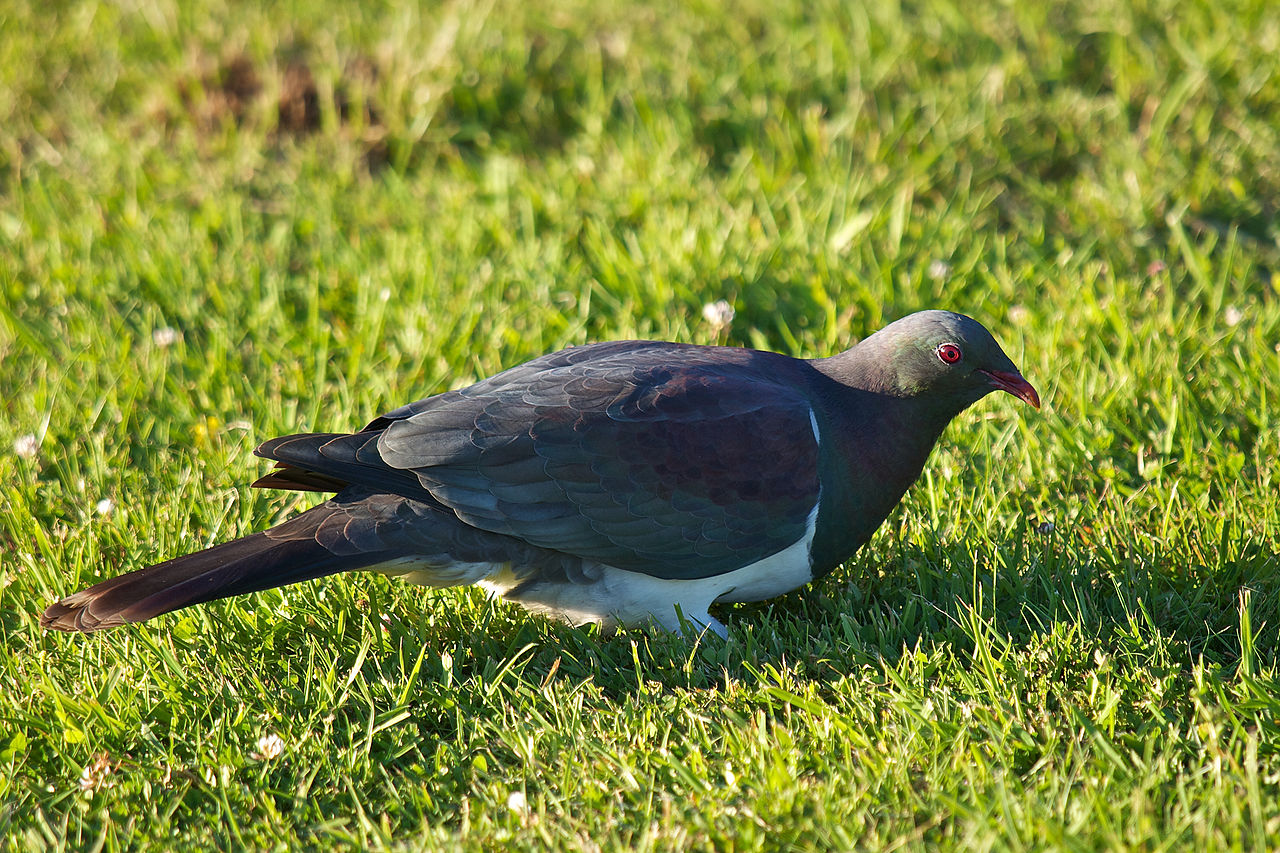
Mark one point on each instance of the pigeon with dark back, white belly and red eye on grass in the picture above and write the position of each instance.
(630, 483)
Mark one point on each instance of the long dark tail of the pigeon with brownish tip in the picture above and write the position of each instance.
(255, 563)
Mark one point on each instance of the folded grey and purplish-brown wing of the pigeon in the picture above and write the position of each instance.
(674, 462)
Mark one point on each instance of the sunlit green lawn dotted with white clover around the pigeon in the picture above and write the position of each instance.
(225, 223)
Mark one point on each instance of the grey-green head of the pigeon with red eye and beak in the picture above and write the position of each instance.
(941, 357)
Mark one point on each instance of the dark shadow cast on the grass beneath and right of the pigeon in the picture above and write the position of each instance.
(950, 599)
